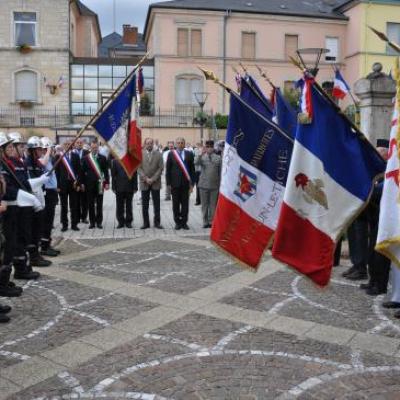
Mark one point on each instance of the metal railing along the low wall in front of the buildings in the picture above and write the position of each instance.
(56, 118)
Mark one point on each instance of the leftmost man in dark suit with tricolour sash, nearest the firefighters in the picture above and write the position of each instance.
(68, 173)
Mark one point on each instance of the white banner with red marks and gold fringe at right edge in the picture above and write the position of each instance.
(388, 242)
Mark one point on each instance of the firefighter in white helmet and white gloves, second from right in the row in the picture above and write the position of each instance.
(37, 177)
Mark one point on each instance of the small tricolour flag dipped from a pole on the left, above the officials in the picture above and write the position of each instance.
(117, 125)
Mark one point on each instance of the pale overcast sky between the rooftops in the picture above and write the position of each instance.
(131, 12)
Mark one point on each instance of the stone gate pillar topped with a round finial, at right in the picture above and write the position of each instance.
(376, 93)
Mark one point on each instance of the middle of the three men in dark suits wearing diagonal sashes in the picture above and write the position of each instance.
(96, 179)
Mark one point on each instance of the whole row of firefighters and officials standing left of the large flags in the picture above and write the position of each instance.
(36, 176)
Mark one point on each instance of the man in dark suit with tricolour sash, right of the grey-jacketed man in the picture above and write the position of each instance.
(180, 175)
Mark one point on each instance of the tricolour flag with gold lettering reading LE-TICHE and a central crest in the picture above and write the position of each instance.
(255, 165)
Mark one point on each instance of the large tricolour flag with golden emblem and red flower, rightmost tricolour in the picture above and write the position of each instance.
(331, 176)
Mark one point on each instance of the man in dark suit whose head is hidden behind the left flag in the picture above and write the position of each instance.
(124, 188)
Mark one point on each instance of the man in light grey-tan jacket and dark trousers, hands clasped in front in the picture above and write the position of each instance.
(150, 183)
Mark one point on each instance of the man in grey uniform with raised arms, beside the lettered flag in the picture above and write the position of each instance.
(209, 181)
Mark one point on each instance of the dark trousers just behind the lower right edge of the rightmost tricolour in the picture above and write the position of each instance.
(358, 236)
